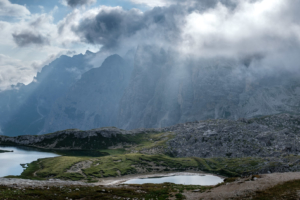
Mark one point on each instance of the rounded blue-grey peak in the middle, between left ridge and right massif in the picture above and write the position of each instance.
(93, 101)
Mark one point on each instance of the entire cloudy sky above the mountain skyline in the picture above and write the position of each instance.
(34, 32)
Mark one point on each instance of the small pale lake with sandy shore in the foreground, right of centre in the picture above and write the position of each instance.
(182, 180)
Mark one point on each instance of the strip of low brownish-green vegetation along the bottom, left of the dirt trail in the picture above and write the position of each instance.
(137, 192)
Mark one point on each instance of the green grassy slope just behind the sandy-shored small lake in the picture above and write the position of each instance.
(123, 164)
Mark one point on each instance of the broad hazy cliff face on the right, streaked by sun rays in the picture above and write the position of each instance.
(164, 92)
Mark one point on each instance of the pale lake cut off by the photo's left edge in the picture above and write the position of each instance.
(10, 162)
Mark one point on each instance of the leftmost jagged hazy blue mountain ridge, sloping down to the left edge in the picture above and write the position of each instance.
(24, 109)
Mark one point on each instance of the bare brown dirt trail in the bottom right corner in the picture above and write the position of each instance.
(242, 188)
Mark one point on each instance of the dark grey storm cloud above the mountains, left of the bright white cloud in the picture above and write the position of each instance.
(110, 26)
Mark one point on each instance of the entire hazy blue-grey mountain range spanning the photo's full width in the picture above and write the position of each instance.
(152, 89)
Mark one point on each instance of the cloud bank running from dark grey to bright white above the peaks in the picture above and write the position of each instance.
(206, 28)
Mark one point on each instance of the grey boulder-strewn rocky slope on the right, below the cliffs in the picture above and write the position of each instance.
(271, 136)
